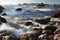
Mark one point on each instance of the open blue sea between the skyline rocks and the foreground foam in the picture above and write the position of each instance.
(29, 10)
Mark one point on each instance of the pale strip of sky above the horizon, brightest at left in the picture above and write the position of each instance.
(27, 1)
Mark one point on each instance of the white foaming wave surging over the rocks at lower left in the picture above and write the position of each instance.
(12, 30)
